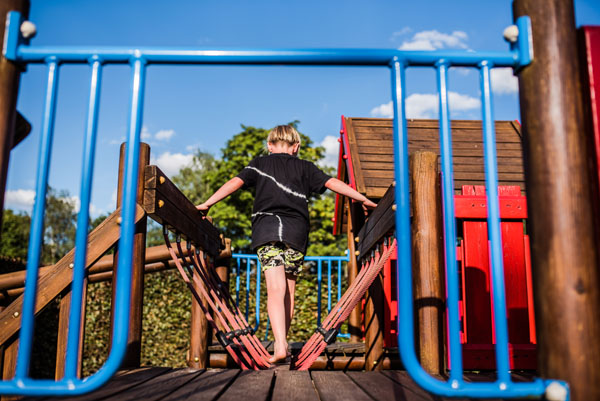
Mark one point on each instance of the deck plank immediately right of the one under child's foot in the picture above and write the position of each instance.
(336, 386)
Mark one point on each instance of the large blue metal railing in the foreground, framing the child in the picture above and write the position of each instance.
(519, 55)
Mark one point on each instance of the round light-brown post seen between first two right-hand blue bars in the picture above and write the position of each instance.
(428, 276)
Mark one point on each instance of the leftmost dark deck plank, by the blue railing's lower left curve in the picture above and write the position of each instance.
(122, 383)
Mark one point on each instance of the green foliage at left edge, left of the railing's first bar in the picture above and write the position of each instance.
(15, 235)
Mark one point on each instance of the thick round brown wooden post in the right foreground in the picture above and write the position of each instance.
(560, 189)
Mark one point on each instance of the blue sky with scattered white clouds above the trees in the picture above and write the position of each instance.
(200, 107)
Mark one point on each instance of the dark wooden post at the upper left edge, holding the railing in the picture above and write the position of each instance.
(9, 88)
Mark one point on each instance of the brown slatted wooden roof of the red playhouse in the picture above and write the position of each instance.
(374, 150)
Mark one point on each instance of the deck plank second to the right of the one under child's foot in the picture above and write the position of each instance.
(381, 387)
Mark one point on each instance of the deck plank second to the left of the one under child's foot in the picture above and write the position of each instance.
(205, 387)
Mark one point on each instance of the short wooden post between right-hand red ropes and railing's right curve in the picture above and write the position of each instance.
(374, 325)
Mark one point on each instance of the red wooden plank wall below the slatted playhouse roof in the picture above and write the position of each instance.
(476, 304)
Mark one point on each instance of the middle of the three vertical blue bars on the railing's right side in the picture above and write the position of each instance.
(449, 224)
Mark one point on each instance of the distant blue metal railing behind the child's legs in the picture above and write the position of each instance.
(248, 270)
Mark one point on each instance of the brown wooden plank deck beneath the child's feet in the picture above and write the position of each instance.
(278, 384)
